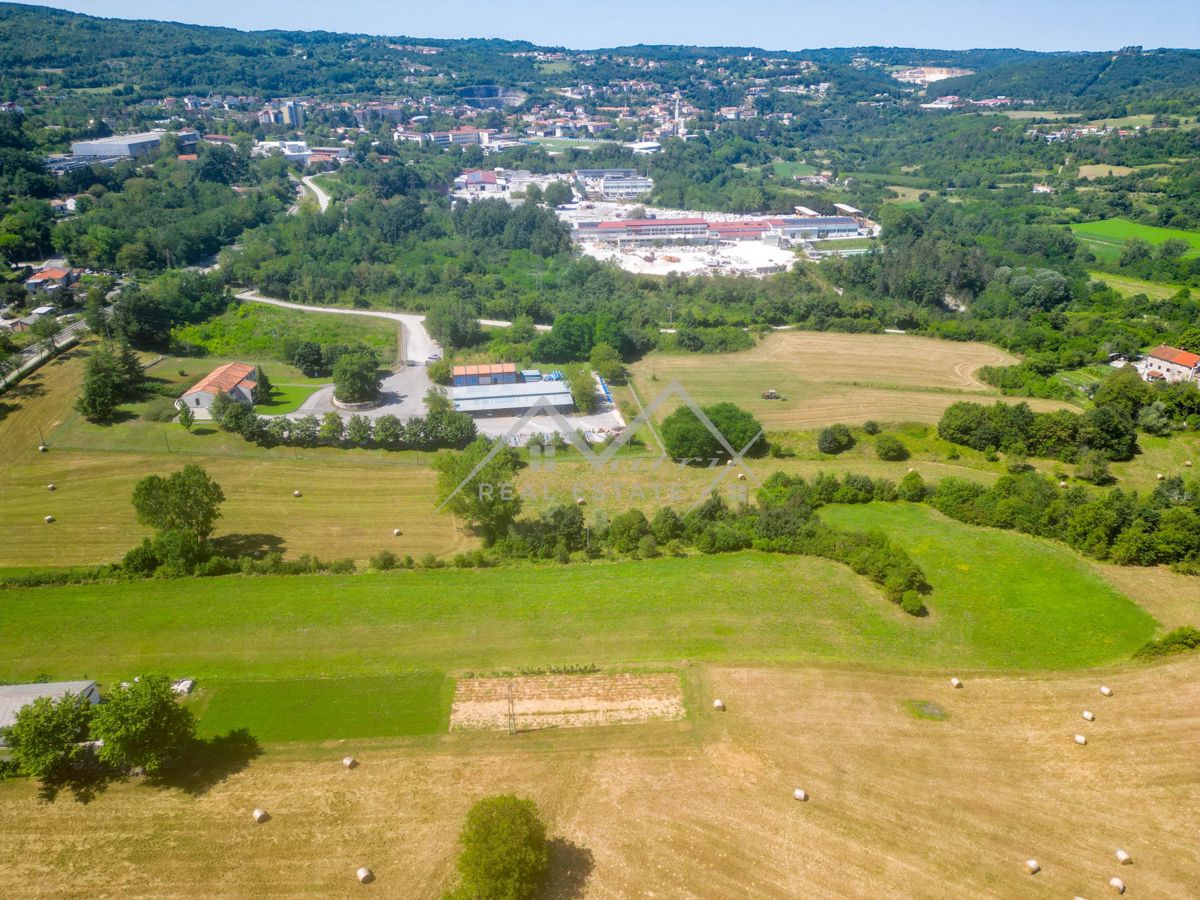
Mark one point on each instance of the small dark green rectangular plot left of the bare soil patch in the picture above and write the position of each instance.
(326, 709)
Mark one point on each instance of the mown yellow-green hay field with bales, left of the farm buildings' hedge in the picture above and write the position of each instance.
(351, 501)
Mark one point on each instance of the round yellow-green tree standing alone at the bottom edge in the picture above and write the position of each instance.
(505, 851)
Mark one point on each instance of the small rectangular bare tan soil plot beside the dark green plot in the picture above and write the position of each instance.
(566, 701)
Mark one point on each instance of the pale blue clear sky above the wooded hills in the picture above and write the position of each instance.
(771, 25)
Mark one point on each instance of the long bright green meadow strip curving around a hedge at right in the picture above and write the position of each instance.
(1000, 599)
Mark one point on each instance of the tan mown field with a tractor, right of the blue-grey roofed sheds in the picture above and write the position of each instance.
(831, 379)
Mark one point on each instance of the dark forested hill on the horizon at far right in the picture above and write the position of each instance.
(1082, 80)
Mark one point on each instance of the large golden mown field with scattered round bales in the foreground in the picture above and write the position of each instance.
(899, 806)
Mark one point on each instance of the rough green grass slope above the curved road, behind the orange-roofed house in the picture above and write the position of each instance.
(260, 333)
